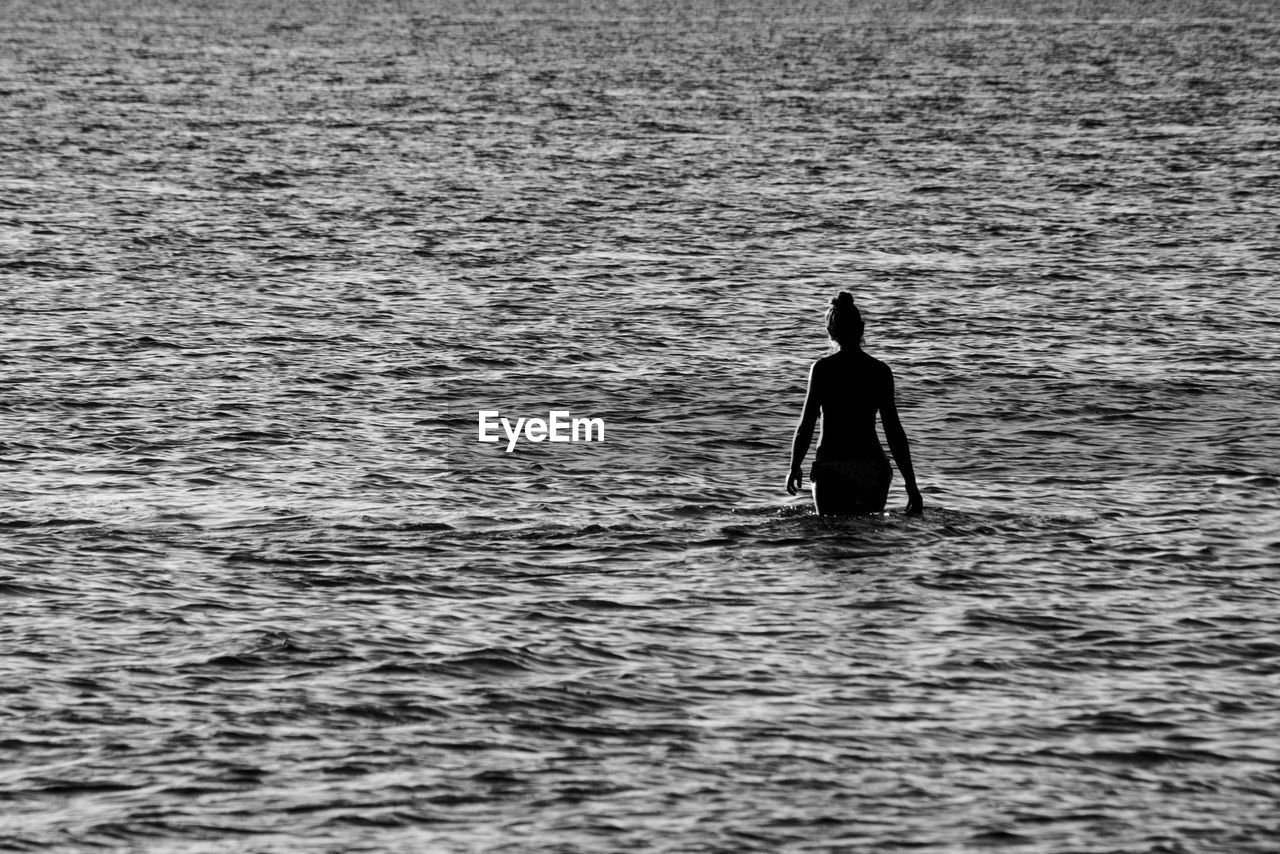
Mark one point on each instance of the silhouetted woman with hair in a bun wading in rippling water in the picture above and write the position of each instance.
(851, 473)
